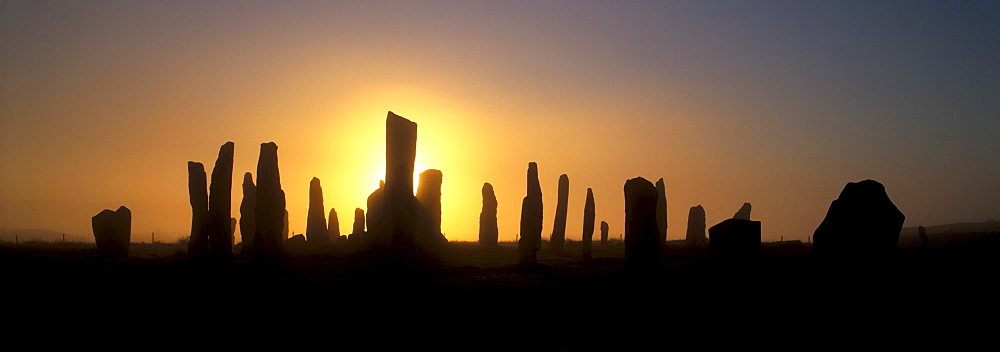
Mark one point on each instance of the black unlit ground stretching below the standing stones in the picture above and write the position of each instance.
(473, 298)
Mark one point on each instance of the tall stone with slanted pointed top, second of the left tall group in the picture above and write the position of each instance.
(220, 205)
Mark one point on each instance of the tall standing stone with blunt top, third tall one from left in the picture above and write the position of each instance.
(270, 214)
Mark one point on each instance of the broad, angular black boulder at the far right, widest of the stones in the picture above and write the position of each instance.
(861, 222)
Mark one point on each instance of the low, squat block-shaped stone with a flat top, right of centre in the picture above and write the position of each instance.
(735, 239)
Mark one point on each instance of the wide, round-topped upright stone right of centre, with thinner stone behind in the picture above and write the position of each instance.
(642, 240)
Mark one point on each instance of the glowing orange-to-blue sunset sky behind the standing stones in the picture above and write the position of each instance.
(777, 103)
